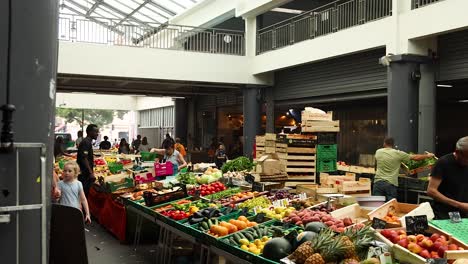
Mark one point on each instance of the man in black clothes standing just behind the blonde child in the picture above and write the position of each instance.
(85, 158)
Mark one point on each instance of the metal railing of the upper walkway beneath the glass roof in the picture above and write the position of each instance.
(160, 36)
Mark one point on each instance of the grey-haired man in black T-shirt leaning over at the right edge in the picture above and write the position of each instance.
(448, 185)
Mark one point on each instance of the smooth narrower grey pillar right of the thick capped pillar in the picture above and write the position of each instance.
(427, 109)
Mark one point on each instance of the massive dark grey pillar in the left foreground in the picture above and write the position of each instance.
(32, 51)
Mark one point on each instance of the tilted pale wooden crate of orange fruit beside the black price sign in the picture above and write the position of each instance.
(398, 209)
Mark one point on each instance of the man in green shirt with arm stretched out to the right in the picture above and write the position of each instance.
(388, 161)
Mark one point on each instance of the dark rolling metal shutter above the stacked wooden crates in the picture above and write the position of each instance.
(357, 73)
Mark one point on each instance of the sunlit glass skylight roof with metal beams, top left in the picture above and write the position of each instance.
(134, 12)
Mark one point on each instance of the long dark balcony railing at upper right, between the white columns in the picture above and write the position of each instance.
(321, 21)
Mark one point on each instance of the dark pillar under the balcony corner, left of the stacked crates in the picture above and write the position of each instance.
(252, 104)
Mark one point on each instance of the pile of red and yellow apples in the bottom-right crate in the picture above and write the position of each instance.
(424, 246)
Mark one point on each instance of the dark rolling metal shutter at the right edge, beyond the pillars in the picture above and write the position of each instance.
(453, 54)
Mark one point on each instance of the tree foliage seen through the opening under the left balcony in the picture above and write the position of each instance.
(91, 116)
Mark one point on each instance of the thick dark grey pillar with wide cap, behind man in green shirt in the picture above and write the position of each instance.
(403, 100)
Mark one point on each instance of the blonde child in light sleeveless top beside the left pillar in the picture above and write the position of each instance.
(71, 189)
